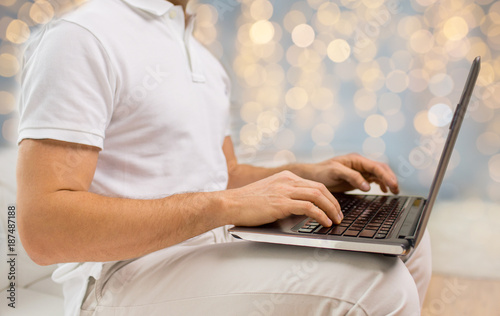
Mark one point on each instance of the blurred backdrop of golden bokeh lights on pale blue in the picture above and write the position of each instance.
(316, 78)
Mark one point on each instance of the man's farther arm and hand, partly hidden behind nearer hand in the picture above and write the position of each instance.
(338, 174)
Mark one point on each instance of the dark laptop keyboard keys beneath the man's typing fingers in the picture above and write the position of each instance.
(365, 216)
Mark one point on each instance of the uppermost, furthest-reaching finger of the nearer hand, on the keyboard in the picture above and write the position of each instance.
(318, 198)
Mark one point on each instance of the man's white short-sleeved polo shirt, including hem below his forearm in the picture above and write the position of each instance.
(127, 76)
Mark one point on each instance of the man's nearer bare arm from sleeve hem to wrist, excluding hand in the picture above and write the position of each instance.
(60, 221)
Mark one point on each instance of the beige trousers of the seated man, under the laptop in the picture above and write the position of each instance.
(209, 275)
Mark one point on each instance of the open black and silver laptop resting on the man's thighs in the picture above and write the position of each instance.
(391, 225)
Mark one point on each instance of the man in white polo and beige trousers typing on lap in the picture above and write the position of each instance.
(123, 127)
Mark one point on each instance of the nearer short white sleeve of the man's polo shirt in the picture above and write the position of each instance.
(67, 86)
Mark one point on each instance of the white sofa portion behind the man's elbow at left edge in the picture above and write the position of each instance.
(36, 293)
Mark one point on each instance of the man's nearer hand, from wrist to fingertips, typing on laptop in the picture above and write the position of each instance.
(279, 196)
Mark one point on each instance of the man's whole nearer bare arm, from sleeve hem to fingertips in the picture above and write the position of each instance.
(60, 221)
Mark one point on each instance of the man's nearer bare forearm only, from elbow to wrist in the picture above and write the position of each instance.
(68, 226)
